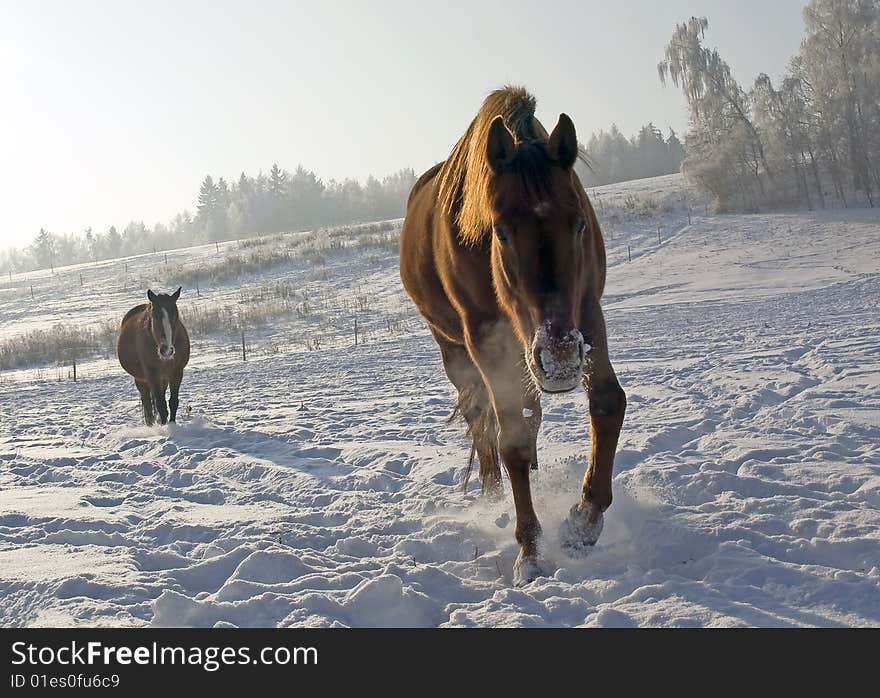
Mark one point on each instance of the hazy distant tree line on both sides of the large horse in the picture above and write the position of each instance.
(281, 200)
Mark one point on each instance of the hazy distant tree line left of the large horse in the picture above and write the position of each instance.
(249, 206)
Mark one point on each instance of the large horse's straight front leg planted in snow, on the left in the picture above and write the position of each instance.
(499, 357)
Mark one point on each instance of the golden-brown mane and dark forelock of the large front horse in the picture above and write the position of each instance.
(465, 178)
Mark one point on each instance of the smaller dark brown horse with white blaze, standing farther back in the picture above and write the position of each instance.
(153, 347)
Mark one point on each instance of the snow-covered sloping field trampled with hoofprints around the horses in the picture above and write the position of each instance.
(318, 483)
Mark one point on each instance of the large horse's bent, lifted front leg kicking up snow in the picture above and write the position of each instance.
(607, 407)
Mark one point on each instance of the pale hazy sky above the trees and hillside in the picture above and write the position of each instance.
(115, 111)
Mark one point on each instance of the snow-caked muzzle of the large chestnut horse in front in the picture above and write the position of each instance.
(557, 361)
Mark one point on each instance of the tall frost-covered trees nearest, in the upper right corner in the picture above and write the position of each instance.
(811, 139)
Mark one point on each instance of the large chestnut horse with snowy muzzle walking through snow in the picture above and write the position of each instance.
(502, 254)
